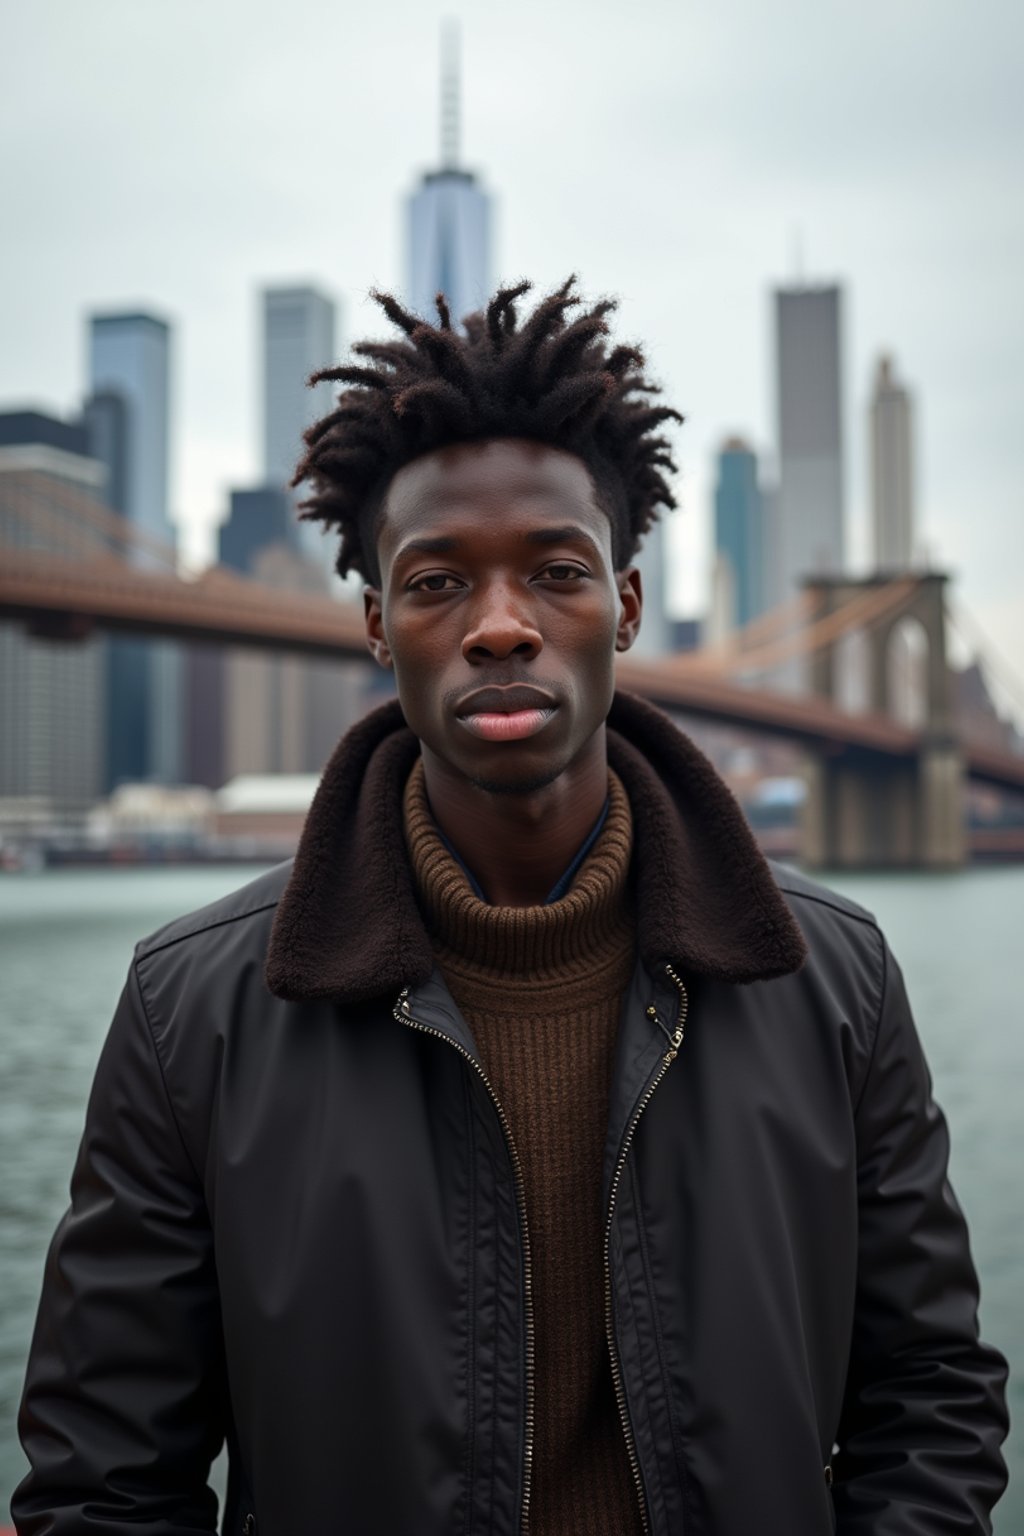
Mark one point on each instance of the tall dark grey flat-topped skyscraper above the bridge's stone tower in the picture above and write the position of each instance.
(810, 402)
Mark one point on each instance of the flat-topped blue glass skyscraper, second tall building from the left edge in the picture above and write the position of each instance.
(130, 362)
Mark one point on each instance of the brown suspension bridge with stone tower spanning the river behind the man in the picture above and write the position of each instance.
(885, 783)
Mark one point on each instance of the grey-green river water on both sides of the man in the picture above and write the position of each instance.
(67, 941)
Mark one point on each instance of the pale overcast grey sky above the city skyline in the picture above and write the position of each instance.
(179, 154)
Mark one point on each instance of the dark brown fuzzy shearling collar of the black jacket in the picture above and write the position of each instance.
(349, 927)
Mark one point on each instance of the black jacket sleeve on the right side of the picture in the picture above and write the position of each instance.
(925, 1409)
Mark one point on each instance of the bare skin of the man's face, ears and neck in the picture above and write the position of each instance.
(500, 612)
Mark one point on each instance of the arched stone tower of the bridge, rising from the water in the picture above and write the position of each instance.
(864, 810)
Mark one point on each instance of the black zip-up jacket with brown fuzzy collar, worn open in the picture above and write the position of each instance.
(297, 1222)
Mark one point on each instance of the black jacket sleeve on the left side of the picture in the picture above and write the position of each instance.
(124, 1400)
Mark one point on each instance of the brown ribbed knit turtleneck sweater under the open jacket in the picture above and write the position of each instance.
(541, 988)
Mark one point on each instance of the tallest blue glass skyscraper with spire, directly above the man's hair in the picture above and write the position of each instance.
(449, 216)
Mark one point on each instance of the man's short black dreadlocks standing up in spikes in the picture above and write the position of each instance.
(550, 377)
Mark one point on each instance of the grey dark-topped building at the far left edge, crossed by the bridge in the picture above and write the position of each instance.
(51, 692)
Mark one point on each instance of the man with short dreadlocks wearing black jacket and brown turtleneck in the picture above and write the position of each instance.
(529, 1156)
